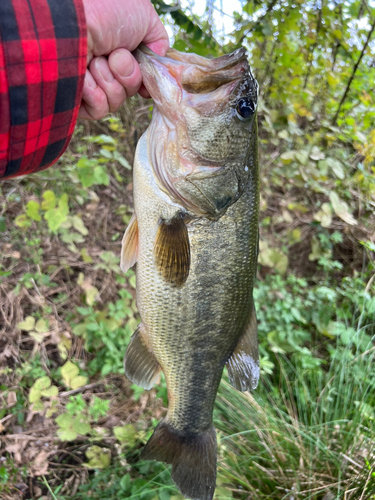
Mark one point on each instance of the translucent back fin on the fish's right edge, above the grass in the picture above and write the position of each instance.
(243, 365)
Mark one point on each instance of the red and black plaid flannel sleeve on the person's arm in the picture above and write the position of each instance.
(43, 50)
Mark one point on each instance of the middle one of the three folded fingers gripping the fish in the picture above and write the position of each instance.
(104, 78)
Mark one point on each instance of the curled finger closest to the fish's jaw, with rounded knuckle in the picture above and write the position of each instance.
(126, 70)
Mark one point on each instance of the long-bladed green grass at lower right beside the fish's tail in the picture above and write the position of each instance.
(303, 438)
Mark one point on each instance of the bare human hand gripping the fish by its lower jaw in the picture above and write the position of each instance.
(114, 29)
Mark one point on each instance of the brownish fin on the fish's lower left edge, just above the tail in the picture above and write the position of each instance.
(140, 364)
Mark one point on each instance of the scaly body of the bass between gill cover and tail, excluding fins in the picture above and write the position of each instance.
(193, 329)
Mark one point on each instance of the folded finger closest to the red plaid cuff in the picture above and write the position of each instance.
(94, 100)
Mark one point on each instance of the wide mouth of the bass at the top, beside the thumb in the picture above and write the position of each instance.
(193, 73)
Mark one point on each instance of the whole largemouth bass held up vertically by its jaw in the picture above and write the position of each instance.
(194, 237)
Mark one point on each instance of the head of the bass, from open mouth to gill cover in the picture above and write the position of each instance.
(203, 134)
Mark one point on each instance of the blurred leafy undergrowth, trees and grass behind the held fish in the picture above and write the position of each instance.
(71, 425)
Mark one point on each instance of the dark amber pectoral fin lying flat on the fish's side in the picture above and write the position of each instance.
(172, 251)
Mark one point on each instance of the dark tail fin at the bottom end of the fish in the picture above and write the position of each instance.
(193, 459)
